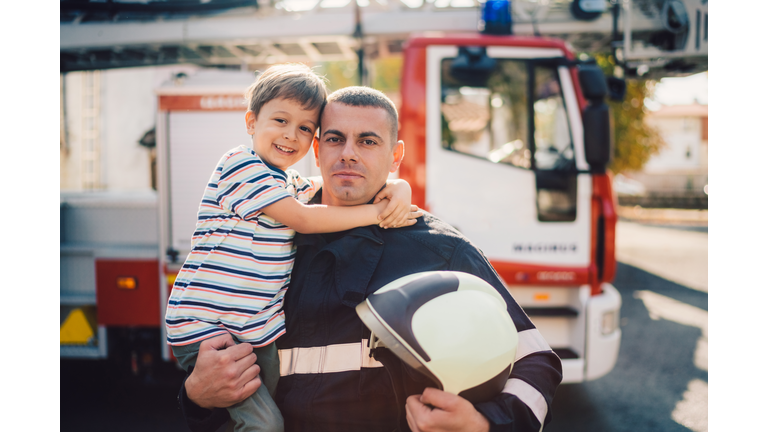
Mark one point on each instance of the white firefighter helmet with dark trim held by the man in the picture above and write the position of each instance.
(452, 327)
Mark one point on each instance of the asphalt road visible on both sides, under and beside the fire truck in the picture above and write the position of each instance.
(659, 382)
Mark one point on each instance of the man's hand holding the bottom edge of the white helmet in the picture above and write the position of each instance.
(450, 413)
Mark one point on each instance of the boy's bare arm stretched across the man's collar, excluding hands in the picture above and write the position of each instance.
(314, 219)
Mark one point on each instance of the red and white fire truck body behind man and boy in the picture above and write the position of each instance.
(507, 139)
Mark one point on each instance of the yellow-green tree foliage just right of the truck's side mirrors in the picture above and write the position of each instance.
(635, 140)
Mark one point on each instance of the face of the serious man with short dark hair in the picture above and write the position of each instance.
(355, 153)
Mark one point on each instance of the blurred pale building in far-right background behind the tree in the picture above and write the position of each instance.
(676, 177)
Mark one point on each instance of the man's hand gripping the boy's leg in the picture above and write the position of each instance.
(225, 373)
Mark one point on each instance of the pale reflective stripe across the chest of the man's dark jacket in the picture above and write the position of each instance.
(326, 359)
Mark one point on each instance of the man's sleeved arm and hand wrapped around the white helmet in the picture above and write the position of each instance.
(524, 403)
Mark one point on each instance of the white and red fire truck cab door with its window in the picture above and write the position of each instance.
(505, 161)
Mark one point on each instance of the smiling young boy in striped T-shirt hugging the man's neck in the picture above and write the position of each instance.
(235, 277)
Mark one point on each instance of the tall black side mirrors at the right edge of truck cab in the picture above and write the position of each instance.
(598, 125)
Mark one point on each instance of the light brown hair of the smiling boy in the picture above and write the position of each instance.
(293, 81)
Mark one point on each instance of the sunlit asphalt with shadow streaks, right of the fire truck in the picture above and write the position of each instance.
(660, 381)
